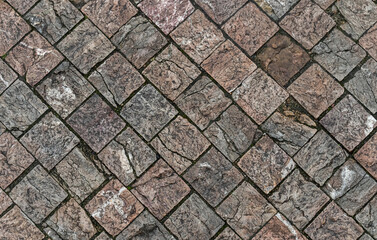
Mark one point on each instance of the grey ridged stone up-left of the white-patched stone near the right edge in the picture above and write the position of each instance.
(320, 156)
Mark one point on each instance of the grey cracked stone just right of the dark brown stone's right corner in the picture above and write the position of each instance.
(338, 54)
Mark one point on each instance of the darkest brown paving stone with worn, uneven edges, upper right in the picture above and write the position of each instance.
(282, 58)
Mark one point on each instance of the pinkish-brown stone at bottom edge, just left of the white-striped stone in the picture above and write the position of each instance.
(245, 210)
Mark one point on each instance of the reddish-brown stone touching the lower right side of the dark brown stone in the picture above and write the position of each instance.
(315, 90)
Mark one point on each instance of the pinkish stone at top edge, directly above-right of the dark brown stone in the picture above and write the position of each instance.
(307, 23)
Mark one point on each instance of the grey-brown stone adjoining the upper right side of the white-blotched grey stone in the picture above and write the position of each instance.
(85, 46)
